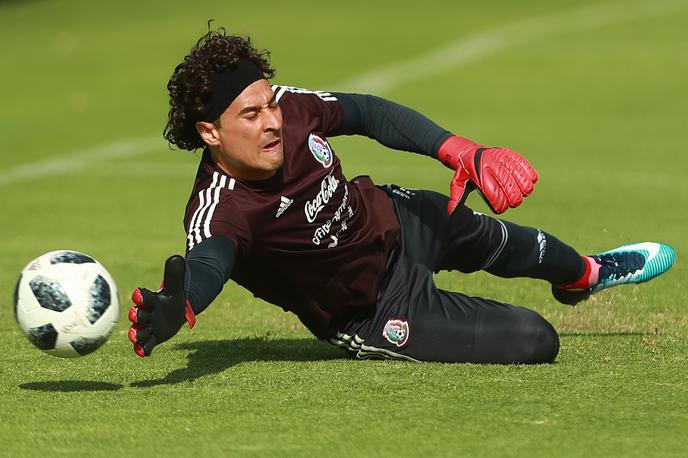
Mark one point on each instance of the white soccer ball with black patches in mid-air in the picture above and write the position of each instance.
(66, 303)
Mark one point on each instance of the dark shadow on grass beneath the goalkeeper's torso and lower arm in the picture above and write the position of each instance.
(215, 356)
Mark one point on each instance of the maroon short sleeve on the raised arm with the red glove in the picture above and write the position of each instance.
(319, 110)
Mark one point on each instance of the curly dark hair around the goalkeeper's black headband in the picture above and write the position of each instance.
(190, 86)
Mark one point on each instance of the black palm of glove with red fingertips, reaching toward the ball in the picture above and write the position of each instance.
(158, 316)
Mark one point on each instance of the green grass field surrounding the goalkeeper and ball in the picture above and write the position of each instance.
(593, 93)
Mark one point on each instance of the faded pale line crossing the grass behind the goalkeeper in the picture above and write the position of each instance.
(450, 56)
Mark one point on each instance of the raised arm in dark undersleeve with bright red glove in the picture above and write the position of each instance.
(501, 176)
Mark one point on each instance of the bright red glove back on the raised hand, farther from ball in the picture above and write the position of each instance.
(502, 176)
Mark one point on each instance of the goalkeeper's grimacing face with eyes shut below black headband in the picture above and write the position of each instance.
(247, 142)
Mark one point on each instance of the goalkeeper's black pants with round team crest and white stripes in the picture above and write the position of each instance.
(415, 320)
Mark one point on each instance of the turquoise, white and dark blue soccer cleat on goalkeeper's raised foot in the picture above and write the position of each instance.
(633, 263)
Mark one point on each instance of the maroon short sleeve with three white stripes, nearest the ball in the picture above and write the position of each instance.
(213, 211)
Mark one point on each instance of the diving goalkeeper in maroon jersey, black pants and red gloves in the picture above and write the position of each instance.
(271, 210)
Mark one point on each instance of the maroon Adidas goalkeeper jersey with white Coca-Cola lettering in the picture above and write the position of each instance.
(308, 239)
